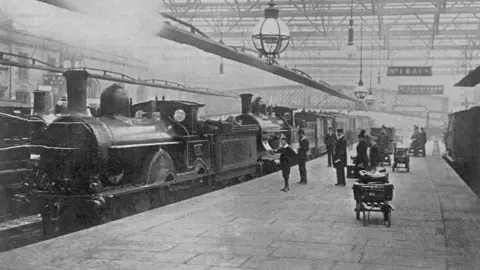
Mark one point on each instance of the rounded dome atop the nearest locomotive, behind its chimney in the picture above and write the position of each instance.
(114, 101)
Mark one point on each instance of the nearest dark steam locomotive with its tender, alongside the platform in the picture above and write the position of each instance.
(93, 170)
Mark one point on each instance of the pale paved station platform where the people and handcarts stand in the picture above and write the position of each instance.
(435, 225)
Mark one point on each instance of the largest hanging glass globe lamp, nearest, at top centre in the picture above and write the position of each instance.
(271, 35)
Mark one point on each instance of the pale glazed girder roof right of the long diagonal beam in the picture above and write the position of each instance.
(439, 33)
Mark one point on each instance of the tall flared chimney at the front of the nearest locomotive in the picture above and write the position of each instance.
(77, 91)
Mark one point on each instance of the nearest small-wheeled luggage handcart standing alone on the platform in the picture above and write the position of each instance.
(373, 198)
